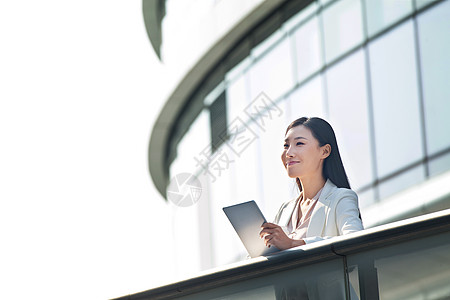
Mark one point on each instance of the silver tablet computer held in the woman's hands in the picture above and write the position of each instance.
(247, 220)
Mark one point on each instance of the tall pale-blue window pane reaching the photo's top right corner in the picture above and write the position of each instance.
(434, 38)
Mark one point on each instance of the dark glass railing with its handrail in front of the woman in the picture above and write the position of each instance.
(409, 259)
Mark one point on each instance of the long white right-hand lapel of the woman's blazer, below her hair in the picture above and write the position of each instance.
(318, 216)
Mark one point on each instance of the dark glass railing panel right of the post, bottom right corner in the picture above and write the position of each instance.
(416, 269)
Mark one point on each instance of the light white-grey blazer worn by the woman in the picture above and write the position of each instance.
(336, 213)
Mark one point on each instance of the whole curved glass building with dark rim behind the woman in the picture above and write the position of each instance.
(243, 70)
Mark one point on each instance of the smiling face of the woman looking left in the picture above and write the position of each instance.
(302, 155)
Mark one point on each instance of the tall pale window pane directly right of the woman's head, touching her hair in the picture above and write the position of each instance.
(347, 100)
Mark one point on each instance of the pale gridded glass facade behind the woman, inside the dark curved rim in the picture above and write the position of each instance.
(377, 70)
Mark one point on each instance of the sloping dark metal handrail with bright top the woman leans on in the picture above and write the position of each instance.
(377, 237)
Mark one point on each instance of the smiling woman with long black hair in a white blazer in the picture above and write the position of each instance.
(326, 206)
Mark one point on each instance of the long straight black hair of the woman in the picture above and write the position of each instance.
(333, 168)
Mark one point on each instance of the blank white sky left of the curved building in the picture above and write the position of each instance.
(80, 88)
